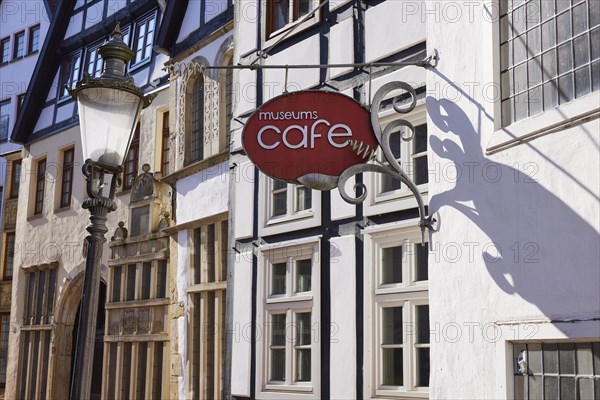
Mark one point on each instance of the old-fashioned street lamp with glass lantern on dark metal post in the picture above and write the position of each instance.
(109, 107)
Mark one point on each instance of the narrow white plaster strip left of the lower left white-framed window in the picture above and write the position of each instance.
(241, 324)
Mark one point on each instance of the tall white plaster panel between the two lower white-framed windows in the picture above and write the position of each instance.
(343, 318)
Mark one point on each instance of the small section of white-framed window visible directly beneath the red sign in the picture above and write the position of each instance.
(289, 199)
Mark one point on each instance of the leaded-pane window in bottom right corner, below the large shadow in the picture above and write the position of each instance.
(556, 370)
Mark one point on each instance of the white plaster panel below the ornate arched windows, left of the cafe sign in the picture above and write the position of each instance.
(203, 194)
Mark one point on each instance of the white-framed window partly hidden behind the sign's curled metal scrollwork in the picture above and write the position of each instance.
(411, 154)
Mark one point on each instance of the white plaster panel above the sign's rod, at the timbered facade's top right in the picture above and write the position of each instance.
(392, 26)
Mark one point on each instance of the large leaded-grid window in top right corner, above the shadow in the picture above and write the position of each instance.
(550, 54)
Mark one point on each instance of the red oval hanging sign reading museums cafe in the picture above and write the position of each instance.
(308, 137)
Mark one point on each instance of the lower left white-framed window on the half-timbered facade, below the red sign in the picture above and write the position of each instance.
(290, 315)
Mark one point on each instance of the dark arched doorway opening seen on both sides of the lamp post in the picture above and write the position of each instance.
(96, 390)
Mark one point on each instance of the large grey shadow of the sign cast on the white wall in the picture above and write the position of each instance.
(538, 247)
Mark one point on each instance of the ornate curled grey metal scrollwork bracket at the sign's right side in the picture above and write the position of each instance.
(393, 167)
